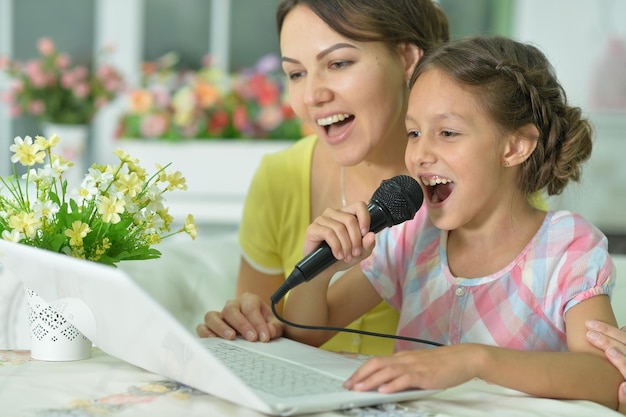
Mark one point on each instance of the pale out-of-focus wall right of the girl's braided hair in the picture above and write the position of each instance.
(574, 34)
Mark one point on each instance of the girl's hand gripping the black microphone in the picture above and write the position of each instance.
(346, 231)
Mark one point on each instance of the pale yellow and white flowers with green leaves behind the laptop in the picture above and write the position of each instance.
(116, 213)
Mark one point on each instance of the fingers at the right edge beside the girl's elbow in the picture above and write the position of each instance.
(613, 342)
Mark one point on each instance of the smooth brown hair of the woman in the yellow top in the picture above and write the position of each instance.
(419, 22)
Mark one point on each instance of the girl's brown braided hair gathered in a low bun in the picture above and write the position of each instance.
(516, 85)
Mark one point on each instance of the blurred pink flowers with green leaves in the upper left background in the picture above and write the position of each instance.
(54, 89)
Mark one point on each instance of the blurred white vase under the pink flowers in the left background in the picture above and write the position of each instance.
(72, 147)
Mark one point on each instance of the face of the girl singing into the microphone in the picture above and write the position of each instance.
(455, 151)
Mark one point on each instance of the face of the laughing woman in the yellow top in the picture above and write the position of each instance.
(353, 94)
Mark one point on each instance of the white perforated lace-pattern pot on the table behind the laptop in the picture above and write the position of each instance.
(53, 338)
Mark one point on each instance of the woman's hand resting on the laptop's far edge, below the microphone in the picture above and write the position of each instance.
(247, 315)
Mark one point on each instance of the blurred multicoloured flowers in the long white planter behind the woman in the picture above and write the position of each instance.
(210, 103)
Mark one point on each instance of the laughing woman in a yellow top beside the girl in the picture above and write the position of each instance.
(330, 50)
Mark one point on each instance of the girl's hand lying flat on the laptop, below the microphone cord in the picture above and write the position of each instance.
(437, 368)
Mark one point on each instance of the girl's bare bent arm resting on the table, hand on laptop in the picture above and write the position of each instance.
(581, 373)
